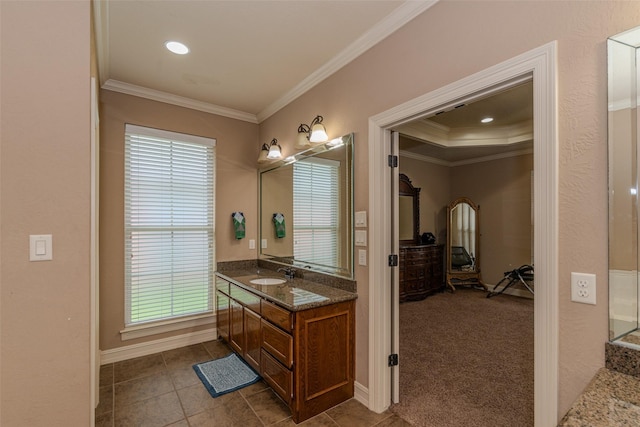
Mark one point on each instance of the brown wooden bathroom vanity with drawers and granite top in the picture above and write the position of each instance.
(298, 335)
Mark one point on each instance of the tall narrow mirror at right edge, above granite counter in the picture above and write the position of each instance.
(623, 77)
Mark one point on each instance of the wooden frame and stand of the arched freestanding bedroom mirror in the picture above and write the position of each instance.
(456, 277)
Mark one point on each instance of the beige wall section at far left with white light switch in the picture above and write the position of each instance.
(44, 178)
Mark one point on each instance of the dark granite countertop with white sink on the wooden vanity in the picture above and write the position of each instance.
(295, 294)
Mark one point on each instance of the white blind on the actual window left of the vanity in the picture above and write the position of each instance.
(169, 225)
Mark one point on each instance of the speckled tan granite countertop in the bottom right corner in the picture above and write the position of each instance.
(610, 399)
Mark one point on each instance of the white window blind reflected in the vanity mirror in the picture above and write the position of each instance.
(315, 211)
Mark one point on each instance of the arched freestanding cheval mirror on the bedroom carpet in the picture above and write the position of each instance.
(463, 244)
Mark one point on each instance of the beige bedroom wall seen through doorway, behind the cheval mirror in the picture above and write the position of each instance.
(502, 189)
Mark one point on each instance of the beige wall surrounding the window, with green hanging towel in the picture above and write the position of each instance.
(236, 190)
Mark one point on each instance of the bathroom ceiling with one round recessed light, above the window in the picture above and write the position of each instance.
(248, 59)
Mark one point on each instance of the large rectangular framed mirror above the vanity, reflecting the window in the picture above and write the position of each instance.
(306, 209)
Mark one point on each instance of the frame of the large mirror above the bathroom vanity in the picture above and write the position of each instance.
(348, 271)
